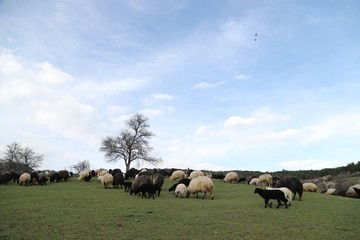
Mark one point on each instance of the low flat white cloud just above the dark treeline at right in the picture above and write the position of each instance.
(309, 164)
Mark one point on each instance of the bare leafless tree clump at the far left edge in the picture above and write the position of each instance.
(17, 158)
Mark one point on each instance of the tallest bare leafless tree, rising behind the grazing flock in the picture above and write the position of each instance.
(132, 144)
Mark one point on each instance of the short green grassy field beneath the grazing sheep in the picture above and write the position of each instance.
(81, 210)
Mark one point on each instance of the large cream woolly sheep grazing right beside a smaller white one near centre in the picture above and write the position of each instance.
(201, 184)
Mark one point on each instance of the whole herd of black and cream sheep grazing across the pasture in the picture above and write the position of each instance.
(148, 183)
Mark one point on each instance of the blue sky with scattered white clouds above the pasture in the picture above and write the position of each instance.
(226, 85)
